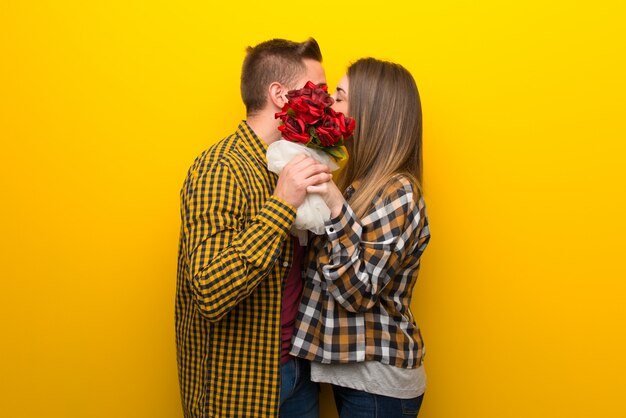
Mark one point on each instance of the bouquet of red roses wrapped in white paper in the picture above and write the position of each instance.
(311, 127)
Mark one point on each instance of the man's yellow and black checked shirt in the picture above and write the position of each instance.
(234, 253)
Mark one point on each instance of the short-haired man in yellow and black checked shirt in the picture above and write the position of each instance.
(239, 278)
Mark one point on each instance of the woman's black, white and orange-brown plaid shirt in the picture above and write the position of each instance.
(359, 280)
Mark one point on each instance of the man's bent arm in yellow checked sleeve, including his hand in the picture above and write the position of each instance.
(227, 258)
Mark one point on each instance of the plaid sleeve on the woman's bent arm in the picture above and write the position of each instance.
(363, 255)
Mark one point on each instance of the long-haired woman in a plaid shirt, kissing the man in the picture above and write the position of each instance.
(354, 321)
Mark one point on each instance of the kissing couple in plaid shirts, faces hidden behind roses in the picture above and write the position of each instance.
(260, 319)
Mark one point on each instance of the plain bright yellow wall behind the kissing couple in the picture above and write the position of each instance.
(104, 105)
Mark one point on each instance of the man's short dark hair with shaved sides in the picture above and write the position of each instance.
(276, 60)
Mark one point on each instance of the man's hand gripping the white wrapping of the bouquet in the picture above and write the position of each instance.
(300, 173)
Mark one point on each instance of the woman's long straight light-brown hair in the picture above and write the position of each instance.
(384, 101)
